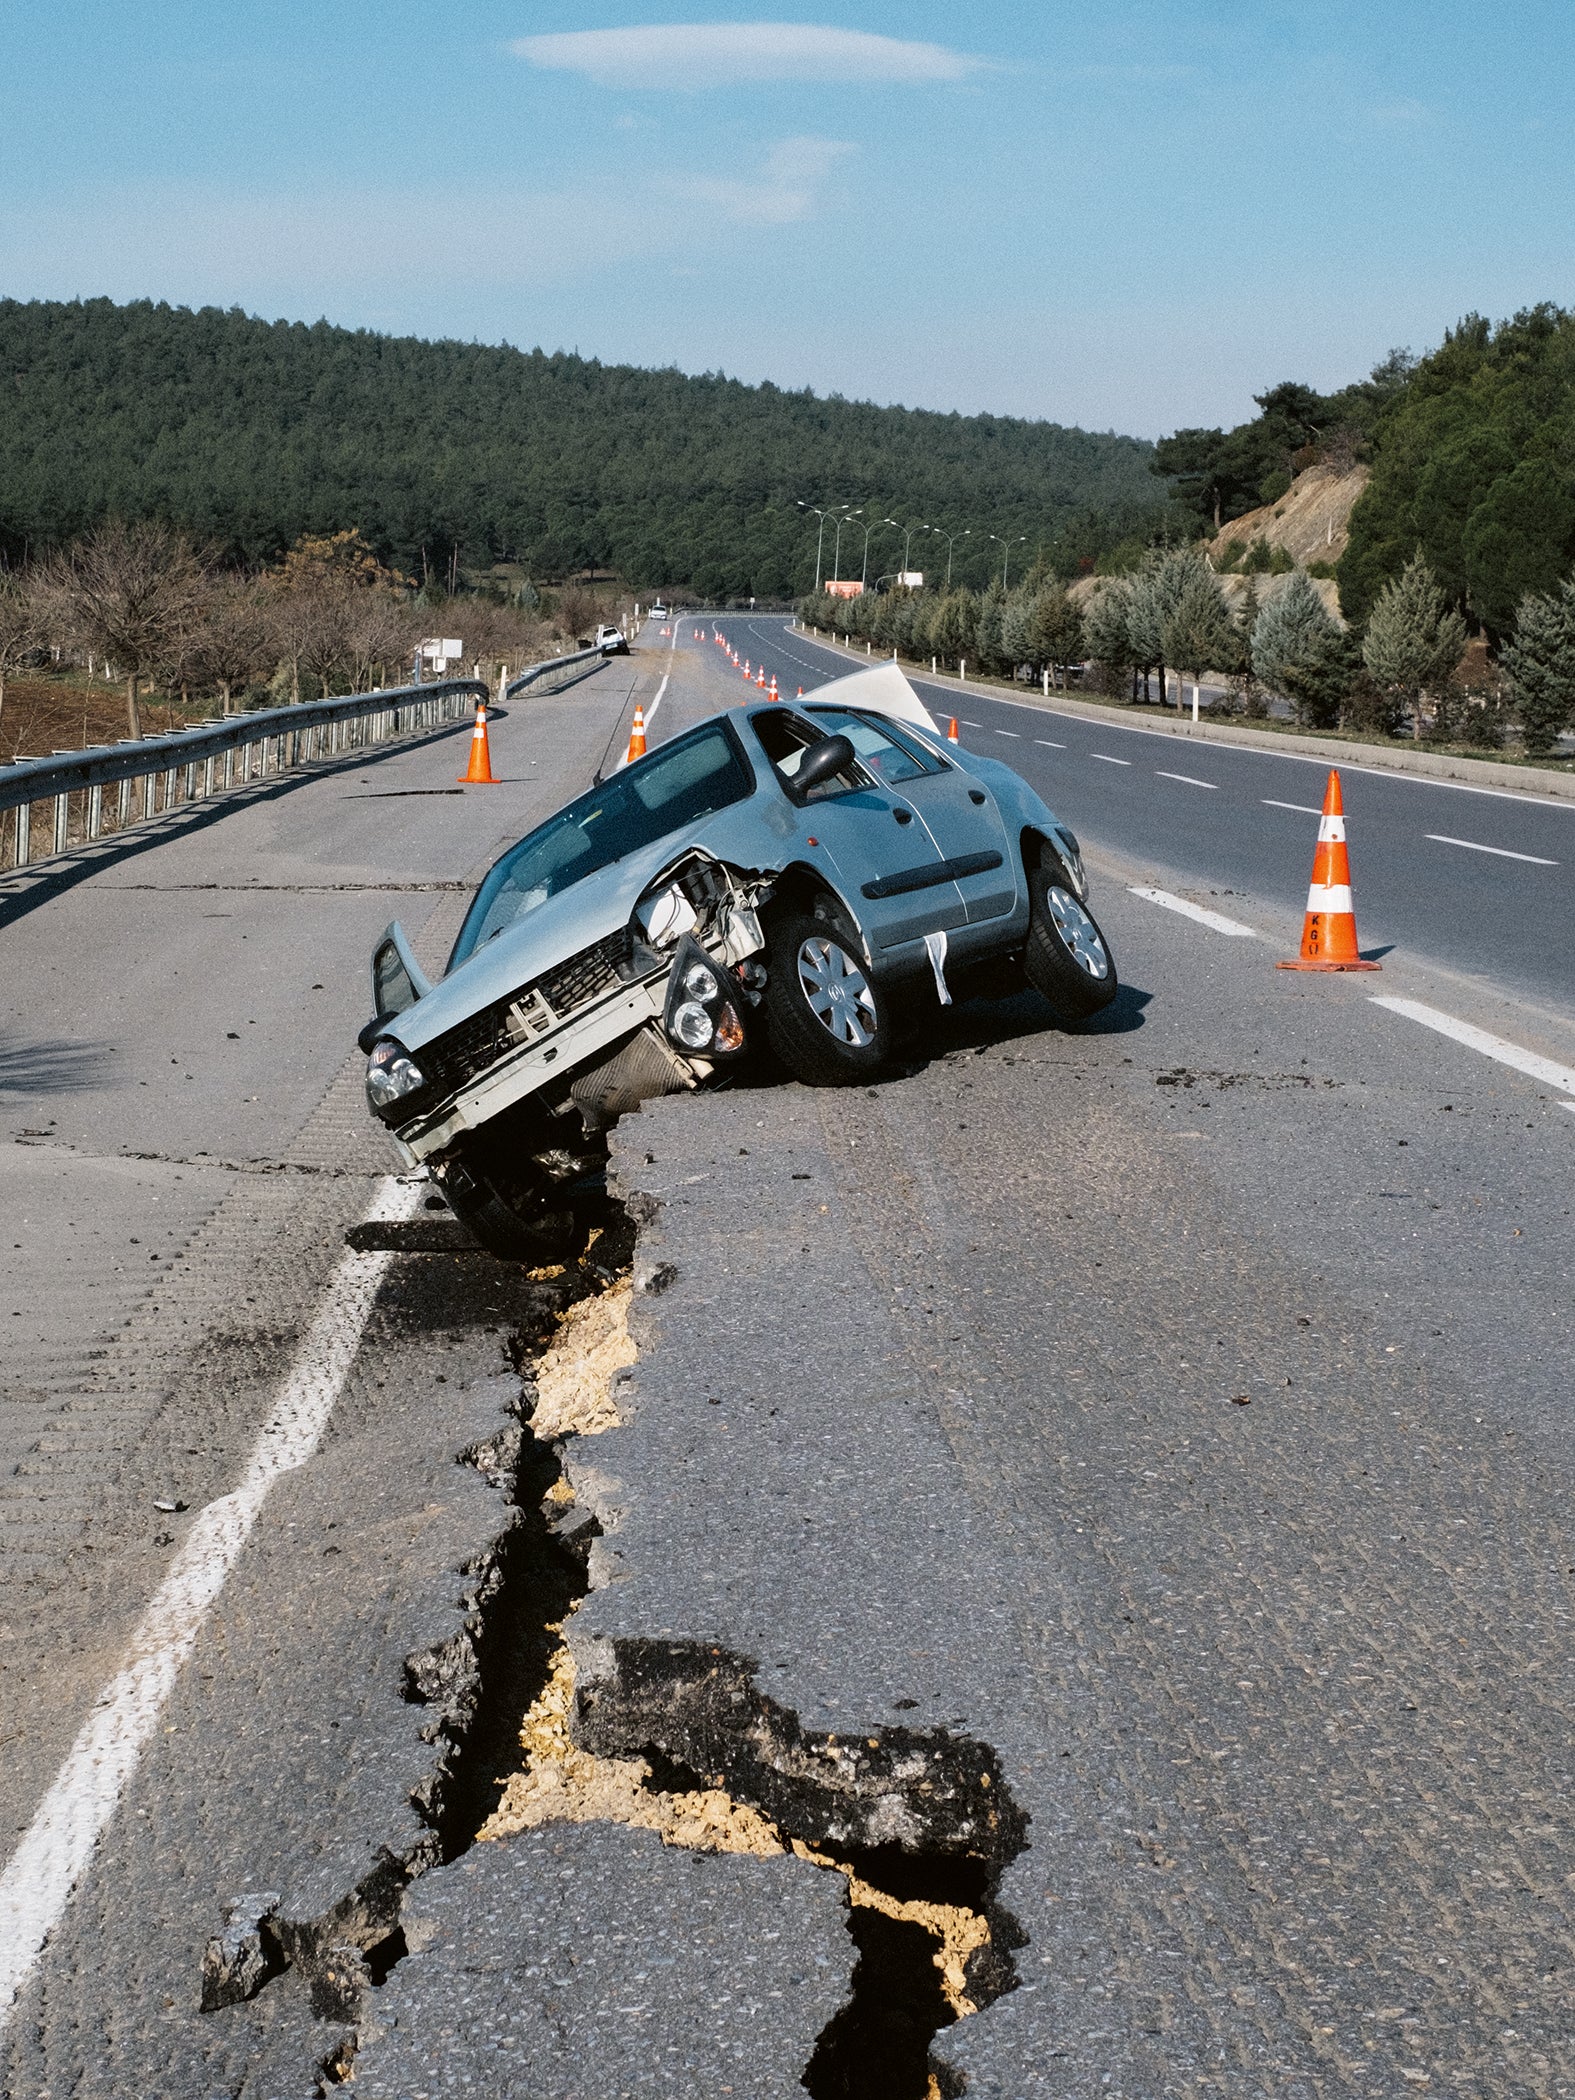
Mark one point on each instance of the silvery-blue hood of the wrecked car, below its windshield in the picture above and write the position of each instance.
(587, 912)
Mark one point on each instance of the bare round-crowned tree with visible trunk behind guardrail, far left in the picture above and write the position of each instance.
(127, 593)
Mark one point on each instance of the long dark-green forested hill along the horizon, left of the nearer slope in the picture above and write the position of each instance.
(253, 434)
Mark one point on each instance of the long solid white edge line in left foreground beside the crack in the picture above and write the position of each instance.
(58, 1845)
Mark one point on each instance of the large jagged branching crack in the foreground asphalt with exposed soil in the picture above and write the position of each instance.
(671, 1738)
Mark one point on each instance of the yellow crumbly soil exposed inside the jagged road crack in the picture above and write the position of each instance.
(564, 1784)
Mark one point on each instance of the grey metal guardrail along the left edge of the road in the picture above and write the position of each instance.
(64, 797)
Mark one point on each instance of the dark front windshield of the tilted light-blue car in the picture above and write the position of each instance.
(673, 789)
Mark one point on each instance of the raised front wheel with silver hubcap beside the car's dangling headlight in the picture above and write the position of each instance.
(824, 1017)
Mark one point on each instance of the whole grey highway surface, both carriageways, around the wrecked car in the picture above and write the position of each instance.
(1154, 1435)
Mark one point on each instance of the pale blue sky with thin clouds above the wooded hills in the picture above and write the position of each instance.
(1129, 215)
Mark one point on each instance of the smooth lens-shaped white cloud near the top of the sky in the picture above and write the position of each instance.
(721, 54)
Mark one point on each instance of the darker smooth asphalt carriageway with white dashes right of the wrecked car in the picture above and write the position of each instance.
(1471, 881)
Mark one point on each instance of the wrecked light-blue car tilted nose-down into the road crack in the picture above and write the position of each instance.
(778, 873)
